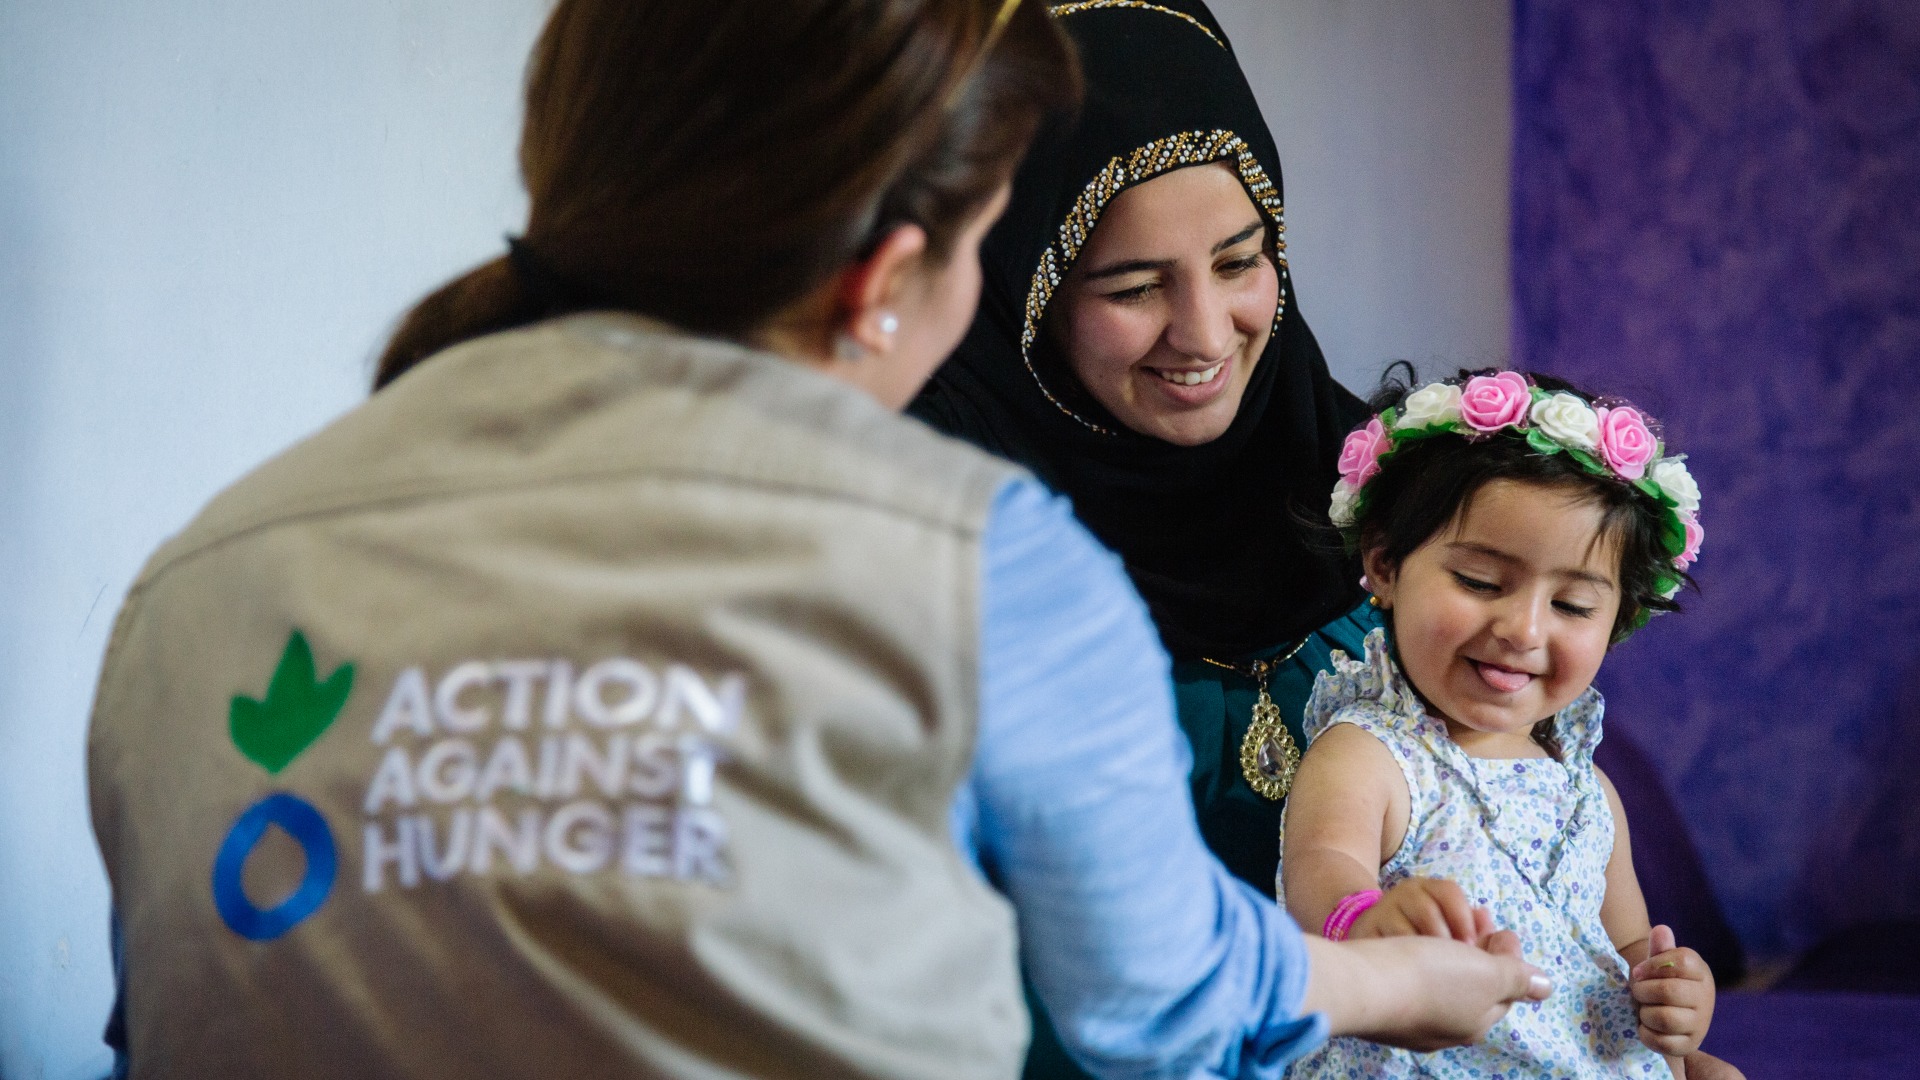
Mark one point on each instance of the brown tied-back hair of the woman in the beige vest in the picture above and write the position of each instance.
(677, 151)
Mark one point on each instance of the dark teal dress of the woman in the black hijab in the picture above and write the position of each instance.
(1239, 825)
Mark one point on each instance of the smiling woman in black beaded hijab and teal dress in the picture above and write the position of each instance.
(1140, 347)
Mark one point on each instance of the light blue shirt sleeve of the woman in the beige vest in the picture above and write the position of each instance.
(1151, 958)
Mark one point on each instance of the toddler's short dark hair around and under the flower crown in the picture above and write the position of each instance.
(1426, 485)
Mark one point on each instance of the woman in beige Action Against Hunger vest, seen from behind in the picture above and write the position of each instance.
(627, 689)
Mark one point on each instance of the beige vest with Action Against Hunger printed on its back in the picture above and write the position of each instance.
(587, 704)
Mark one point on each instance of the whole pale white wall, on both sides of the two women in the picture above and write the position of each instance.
(210, 214)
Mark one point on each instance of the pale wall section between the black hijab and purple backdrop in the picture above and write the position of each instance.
(1395, 124)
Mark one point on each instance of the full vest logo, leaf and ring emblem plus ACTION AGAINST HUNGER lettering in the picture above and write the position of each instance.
(506, 766)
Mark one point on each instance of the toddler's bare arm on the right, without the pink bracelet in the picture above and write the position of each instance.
(1673, 989)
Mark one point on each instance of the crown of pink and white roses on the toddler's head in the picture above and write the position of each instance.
(1618, 443)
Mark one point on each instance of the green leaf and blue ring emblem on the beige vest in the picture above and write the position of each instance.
(272, 733)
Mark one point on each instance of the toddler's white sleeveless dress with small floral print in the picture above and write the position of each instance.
(1527, 839)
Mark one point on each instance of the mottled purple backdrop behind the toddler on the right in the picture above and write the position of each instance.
(1717, 214)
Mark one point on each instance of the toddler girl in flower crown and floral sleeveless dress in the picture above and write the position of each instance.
(1512, 529)
